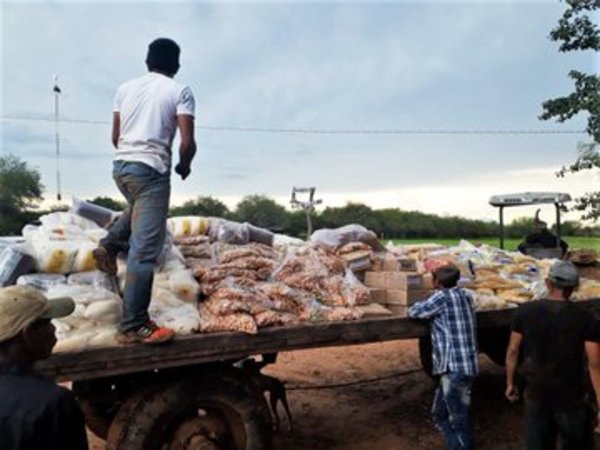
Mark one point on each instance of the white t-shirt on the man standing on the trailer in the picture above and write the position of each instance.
(148, 107)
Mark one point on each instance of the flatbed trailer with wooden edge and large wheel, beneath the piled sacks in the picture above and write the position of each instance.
(193, 393)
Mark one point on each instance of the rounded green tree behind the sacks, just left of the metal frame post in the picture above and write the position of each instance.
(263, 212)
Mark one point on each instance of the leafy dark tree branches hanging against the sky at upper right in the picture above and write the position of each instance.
(576, 31)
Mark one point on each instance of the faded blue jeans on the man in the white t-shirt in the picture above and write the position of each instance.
(143, 225)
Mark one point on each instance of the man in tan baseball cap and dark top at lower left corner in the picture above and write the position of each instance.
(35, 413)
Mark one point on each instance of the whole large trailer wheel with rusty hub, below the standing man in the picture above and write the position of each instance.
(211, 413)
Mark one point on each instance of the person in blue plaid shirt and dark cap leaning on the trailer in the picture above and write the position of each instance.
(455, 360)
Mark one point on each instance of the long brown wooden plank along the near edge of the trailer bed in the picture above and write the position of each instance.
(205, 348)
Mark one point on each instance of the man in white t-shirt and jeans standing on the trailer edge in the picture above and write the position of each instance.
(147, 112)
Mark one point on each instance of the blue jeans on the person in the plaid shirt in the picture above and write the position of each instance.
(451, 410)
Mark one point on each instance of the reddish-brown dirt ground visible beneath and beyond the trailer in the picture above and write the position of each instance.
(392, 413)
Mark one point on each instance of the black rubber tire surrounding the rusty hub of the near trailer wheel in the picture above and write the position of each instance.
(148, 419)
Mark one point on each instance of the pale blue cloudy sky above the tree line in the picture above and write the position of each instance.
(312, 81)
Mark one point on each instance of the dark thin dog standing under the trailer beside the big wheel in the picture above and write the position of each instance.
(273, 388)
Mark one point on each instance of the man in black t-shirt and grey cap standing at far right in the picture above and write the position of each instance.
(555, 336)
